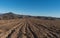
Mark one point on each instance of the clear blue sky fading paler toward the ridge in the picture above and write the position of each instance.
(31, 7)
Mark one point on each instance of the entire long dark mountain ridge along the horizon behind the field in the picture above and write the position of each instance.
(11, 15)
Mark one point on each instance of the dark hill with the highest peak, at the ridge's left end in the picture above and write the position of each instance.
(9, 15)
